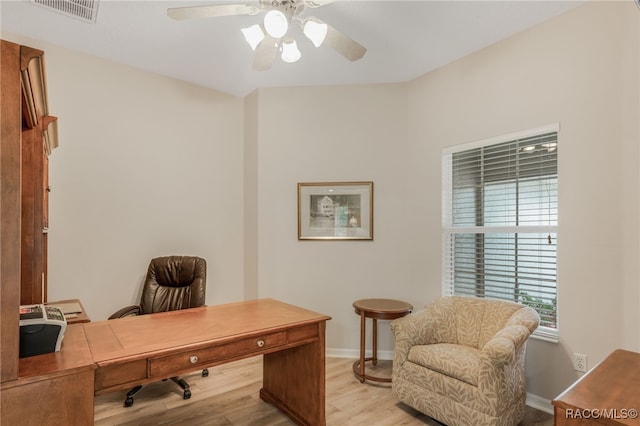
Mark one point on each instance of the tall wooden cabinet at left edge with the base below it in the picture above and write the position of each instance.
(52, 388)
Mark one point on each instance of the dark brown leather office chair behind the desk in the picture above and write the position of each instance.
(172, 283)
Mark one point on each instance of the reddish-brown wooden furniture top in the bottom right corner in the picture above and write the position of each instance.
(609, 394)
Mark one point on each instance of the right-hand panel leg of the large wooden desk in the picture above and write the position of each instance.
(294, 381)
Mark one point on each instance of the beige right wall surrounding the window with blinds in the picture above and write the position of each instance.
(580, 70)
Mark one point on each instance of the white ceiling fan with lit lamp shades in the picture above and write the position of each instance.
(274, 34)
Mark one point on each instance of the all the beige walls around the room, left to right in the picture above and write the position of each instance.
(150, 166)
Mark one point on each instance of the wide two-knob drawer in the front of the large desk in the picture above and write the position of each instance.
(198, 358)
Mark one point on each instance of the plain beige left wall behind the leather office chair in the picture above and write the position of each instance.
(147, 166)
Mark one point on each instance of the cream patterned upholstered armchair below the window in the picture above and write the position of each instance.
(461, 360)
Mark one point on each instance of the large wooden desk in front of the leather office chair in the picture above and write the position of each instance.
(136, 350)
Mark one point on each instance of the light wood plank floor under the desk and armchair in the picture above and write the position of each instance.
(229, 396)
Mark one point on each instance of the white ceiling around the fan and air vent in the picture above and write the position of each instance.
(405, 39)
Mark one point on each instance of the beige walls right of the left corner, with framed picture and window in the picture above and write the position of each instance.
(579, 70)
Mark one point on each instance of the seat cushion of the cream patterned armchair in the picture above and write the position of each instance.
(457, 361)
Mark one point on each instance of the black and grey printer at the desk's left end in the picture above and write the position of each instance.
(41, 329)
